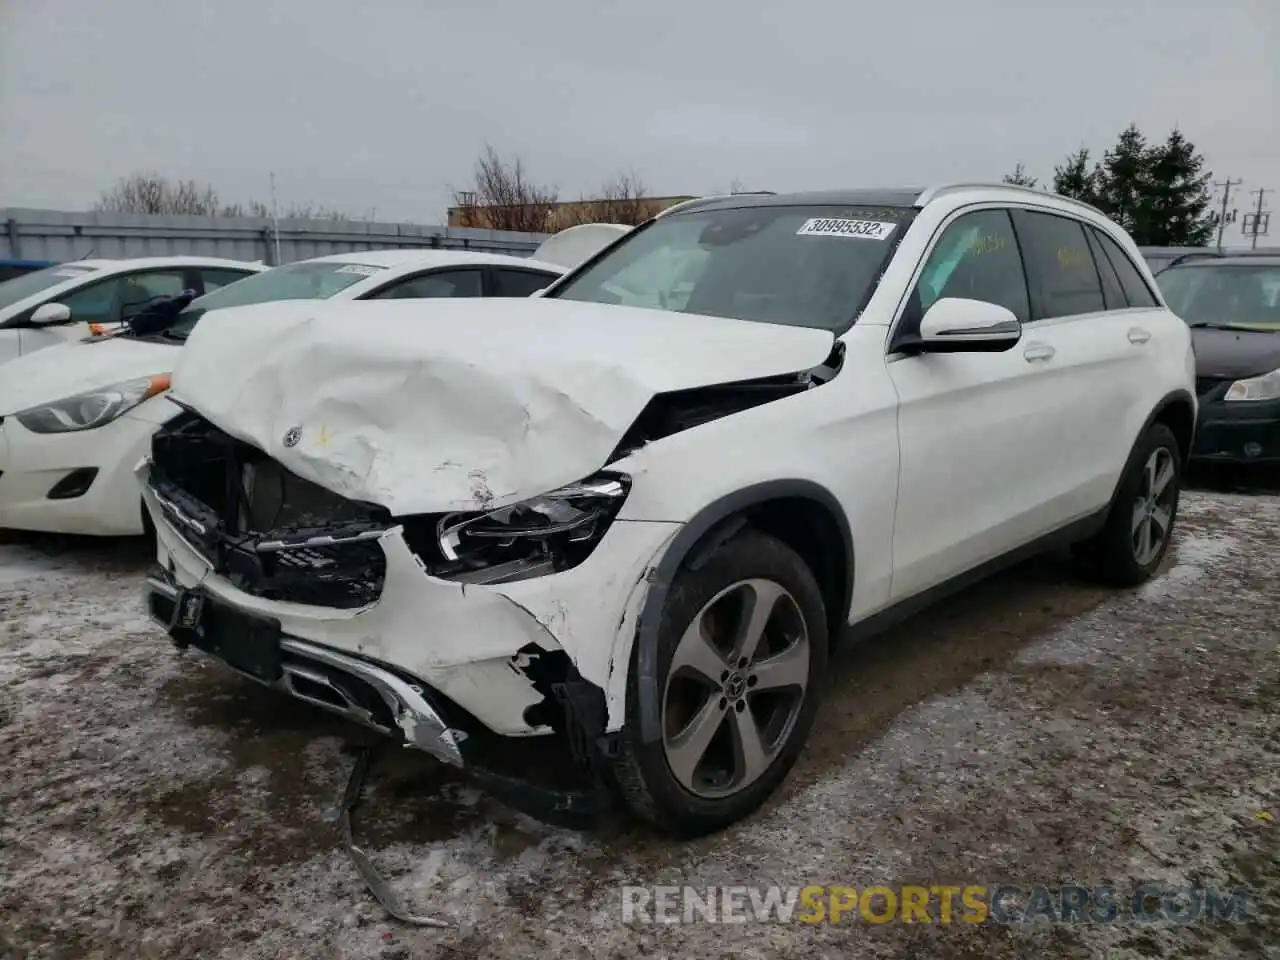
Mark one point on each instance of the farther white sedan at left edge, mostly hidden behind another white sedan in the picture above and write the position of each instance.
(62, 304)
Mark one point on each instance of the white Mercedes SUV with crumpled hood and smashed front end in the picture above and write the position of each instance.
(633, 514)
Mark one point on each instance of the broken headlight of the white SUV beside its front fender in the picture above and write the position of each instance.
(533, 538)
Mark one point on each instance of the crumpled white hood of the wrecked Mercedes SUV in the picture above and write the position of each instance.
(424, 406)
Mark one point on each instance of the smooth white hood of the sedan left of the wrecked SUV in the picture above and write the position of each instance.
(54, 373)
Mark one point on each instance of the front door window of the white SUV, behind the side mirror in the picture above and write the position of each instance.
(977, 259)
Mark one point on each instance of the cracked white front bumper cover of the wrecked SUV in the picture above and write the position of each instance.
(499, 652)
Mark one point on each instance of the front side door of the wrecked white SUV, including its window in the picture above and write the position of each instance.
(977, 431)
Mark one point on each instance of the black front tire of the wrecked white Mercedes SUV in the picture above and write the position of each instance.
(749, 566)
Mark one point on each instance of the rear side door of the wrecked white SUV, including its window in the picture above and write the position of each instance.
(1100, 349)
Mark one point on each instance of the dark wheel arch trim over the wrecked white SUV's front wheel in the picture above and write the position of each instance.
(790, 510)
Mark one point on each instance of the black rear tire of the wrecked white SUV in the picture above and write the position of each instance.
(1116, 555)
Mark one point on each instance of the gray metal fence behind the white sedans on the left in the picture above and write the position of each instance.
(53, 235)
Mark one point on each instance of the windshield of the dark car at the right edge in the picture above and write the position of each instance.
(1236, 295)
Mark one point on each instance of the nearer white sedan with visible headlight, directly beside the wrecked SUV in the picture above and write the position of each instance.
(75, 420)
